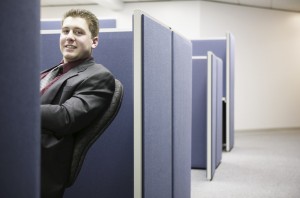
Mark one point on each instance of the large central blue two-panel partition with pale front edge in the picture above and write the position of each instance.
(157, 144)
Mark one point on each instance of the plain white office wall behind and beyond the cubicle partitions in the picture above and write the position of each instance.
(267, 78)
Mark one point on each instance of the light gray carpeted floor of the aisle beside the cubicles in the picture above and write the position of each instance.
(262, 164)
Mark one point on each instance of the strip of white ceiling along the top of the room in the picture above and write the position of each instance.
(285, 5)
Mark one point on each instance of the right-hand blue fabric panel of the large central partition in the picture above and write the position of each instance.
(182, 116)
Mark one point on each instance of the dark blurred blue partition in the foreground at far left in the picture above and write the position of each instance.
(19, 101)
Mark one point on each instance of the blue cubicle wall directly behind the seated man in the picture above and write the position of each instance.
(108, 168)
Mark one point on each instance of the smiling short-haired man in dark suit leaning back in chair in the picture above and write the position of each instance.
(71, 100)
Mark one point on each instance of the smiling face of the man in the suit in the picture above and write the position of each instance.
(76, 41)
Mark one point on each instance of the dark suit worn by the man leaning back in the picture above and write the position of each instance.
(67, 107)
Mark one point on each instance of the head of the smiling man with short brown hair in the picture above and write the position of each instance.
(79, 34)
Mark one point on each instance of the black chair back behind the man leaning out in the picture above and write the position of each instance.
(84, 140)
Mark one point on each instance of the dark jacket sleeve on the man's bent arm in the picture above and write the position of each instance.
(89, 99)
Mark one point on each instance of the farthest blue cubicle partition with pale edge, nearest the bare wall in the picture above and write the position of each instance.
(223, 48)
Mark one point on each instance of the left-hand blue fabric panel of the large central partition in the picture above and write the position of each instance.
(157, 109)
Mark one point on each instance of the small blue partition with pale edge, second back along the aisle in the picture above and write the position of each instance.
(207, 113)
